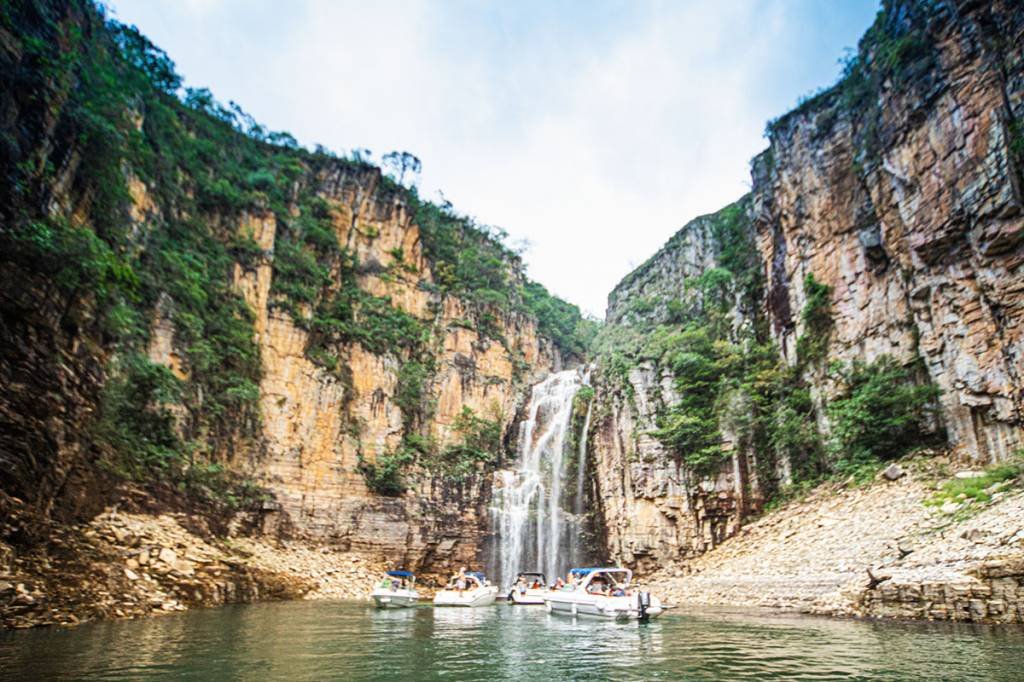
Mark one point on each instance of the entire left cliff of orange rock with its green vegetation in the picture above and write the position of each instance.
(288, 342)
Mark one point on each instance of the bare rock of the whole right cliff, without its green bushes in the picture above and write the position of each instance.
(900, 190)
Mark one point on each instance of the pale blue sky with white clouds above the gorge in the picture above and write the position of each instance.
(591, 131)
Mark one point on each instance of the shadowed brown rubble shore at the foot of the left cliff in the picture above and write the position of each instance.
(126, 566)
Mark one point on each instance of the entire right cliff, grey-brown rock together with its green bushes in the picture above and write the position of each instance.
(866, 300)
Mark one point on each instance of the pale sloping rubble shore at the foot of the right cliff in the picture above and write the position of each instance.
(877, 551)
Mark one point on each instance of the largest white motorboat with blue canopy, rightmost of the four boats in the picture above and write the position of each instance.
(604, 593)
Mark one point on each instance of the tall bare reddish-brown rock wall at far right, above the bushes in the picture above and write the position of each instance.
(908, 203)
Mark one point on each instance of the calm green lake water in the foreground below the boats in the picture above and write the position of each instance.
(317, 641)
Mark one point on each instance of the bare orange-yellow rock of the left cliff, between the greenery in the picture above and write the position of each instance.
(318, 429)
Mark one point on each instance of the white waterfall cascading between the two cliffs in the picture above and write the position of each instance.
(537, 528)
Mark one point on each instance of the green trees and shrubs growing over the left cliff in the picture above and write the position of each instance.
(135, 207)
